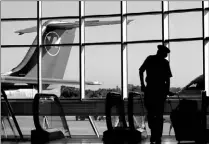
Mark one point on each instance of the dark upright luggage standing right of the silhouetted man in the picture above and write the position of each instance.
(186, 121)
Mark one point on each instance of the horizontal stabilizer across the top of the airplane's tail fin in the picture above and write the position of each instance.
(70, 25)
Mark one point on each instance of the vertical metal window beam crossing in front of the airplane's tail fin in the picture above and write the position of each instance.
(39, 42)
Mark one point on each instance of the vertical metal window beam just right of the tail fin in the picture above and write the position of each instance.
(82, 48)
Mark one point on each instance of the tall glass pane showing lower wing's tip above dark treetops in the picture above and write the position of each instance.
(103, 64)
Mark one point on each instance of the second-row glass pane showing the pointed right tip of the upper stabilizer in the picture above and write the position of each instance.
(144, 28)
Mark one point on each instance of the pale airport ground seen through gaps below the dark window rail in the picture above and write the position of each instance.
(81, 131)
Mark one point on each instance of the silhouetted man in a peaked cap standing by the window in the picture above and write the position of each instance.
(156, 90)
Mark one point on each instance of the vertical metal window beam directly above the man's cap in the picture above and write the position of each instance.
(165, 24)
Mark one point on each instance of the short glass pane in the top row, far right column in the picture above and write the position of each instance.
(184, 4)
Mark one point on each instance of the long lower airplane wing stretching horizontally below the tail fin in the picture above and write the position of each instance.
(28, 80)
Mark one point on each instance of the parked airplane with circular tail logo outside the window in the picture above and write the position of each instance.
(54, 58)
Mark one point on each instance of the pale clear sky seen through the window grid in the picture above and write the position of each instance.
(103, 62)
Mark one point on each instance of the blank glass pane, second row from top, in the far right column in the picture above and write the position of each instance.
(185, 25)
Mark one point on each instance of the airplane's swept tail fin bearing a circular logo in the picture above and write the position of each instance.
(54, 58)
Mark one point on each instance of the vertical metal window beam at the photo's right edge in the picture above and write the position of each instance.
(206, 45)
